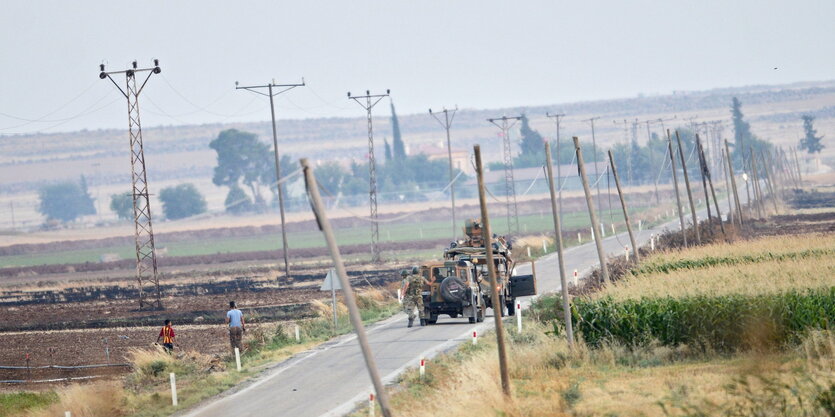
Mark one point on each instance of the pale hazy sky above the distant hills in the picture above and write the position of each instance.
(476, 54)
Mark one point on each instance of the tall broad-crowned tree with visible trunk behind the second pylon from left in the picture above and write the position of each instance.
(243, 159)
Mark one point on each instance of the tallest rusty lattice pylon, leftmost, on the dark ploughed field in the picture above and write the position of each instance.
(146, 259)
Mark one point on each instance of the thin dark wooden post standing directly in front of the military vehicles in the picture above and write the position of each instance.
(491, 271)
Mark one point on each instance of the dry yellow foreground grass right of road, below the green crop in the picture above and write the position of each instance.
(548, 380)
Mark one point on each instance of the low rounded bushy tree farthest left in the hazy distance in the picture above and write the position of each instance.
(64, 202)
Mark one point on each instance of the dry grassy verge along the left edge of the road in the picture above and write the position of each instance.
(145, 392)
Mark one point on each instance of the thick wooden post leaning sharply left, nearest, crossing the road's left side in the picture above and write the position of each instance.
(348, 292)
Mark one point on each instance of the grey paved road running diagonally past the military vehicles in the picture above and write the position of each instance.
(331, 379)
